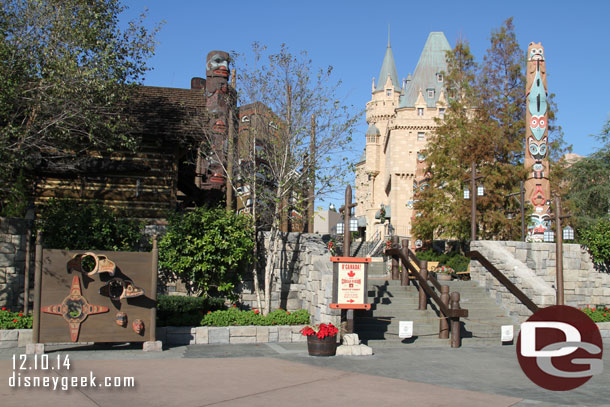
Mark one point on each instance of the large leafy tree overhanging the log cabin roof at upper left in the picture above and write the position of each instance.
(66, 69)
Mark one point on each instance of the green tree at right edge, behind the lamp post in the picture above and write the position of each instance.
(589, 185)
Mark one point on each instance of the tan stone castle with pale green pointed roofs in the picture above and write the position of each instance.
(400, 120)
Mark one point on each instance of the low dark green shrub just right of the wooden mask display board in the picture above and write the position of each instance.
(175, 310)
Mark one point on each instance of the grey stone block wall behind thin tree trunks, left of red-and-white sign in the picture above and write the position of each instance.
(303, 277)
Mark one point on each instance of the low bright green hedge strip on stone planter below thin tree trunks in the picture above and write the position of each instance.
(235, 317)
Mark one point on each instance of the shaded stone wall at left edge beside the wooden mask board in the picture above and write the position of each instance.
(12, 262)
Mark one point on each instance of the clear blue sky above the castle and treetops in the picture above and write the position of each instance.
(352, 36)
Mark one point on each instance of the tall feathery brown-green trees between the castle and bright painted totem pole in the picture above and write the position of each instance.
(484, 125)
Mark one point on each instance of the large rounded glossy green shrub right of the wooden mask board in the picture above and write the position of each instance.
(208, 249)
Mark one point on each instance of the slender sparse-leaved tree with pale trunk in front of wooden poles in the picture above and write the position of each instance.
(294, 91)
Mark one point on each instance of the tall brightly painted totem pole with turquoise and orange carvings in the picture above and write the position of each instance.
(537, 186)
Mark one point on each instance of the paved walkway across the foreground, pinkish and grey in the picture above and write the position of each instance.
(283, 374)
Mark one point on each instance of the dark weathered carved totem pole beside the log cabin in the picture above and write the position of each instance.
(217, 104)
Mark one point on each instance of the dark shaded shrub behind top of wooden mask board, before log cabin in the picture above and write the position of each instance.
(74, 225)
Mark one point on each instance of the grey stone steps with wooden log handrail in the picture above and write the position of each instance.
(391, 303)
